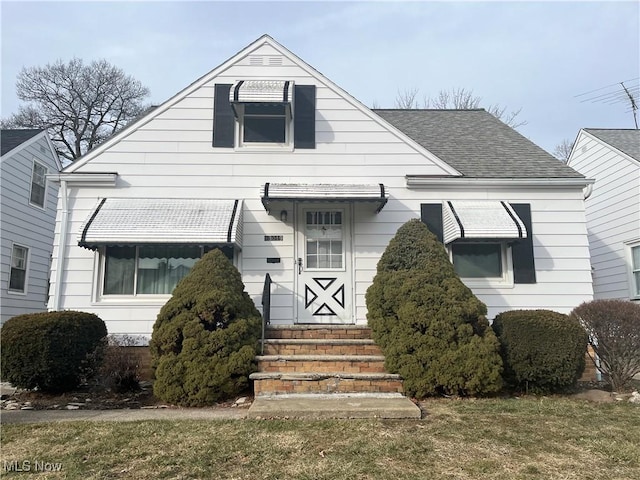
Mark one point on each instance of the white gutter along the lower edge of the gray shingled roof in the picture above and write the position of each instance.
(418, 182)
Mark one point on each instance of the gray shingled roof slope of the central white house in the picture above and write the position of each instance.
(477, 144)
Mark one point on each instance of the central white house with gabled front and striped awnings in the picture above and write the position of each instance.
(291, 176)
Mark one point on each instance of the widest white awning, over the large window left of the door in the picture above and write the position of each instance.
(141, 221)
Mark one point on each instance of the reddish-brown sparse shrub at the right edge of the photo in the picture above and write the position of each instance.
(613, 327)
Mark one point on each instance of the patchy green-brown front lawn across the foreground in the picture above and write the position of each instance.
(531, 438)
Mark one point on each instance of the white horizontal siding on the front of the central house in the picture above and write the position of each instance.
(172, 154)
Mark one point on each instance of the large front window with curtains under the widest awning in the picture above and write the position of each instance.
(150, 270)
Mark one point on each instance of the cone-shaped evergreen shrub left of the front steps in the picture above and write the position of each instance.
(204, 340)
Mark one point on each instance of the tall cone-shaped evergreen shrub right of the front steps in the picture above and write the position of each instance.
(433, 331)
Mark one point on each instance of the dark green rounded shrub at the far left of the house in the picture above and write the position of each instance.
(51, 351)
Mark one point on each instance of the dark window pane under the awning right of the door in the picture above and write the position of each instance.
(477, 260)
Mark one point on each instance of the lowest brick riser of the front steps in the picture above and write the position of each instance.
(328, 385)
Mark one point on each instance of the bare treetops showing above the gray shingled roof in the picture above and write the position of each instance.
(456, 99)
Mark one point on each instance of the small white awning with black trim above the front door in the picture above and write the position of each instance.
(318, 192)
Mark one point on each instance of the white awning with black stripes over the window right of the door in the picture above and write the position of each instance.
(482, 219)
